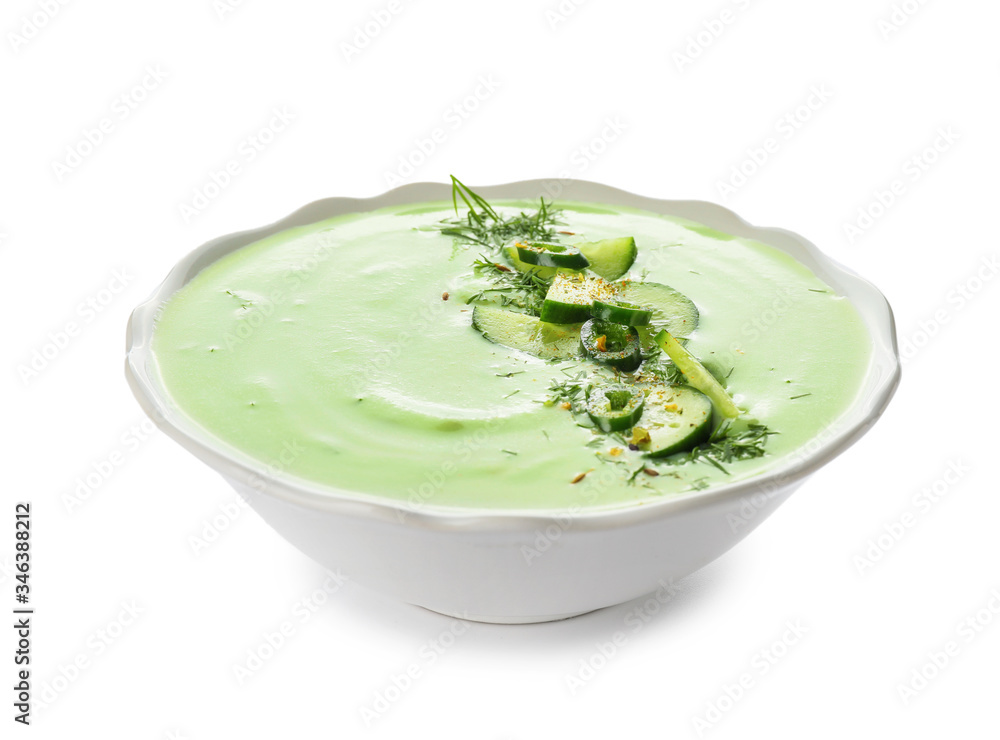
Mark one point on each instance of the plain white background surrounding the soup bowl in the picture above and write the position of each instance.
(104, 223)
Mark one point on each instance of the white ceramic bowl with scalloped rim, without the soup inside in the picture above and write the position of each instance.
(472, 563)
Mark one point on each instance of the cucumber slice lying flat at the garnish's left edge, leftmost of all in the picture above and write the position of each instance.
(527, 333)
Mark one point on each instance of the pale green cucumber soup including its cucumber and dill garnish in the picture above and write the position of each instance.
(402, 353)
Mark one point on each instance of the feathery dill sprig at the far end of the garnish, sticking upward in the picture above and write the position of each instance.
(483, 226)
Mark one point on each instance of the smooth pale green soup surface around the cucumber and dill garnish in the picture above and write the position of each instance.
(328, 353)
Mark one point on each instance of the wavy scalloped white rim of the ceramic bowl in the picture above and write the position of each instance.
(884, 369)
